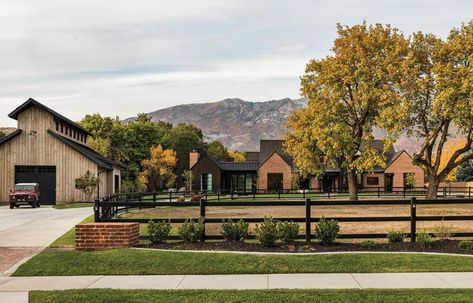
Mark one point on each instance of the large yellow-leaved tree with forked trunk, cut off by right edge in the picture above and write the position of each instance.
(438, 86)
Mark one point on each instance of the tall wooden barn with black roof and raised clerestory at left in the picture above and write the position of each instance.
(49, 149)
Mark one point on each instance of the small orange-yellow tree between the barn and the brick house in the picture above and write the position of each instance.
(158, 170)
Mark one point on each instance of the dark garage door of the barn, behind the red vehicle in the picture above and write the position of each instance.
(44, 175)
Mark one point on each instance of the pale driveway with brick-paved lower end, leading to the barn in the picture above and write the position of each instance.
(25, 231)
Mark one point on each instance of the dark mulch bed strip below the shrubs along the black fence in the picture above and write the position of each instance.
(442, 246)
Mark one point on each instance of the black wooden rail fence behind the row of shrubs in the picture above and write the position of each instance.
(108, 210)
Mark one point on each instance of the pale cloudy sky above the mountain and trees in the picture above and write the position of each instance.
(120, 58)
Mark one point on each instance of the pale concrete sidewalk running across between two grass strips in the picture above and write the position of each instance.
(15, 289)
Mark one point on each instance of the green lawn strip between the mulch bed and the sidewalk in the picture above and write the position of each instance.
(148, 262)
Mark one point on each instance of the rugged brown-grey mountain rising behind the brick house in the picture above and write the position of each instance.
(238, 124)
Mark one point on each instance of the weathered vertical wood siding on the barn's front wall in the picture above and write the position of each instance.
(43, 149)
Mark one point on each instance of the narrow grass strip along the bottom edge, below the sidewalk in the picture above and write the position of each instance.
(250, 296)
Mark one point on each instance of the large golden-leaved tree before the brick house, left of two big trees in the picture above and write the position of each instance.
(346, 93)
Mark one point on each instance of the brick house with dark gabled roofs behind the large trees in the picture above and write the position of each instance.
(272, 169)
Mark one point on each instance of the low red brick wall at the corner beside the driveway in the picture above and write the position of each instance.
(100, 236)
